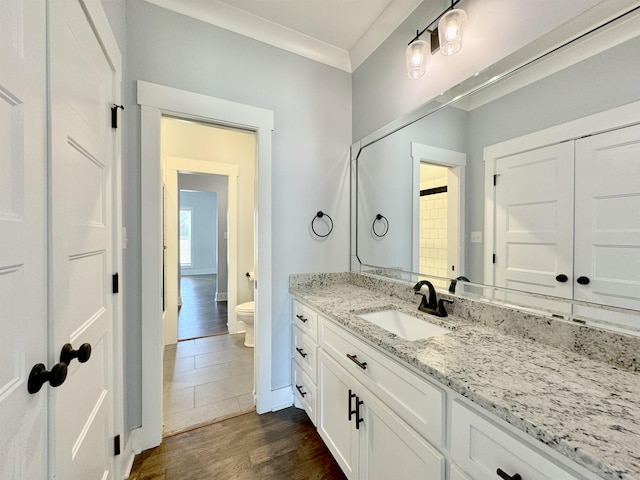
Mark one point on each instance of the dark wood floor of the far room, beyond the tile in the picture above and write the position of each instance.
(200, 314)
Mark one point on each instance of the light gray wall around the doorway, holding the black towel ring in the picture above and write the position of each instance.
(312, 108)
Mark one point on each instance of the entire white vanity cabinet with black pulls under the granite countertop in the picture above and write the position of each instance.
(382, 420)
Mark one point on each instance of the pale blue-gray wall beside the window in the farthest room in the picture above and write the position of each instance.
(204, 256)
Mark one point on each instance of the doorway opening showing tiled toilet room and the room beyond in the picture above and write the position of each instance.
(209, 237)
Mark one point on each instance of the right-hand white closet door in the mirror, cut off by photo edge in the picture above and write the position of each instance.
(607, 227)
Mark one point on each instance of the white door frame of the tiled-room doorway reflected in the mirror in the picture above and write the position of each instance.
(456, 162)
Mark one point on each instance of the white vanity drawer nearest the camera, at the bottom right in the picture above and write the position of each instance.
(481, 447)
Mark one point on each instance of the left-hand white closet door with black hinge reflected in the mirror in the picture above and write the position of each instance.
(534, 218)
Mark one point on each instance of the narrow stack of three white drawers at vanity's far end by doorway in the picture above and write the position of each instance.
(304, 358)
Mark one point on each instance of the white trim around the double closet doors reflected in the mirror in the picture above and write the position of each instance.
(601, 122)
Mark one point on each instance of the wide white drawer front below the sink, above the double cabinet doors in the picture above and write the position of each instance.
(416, 401)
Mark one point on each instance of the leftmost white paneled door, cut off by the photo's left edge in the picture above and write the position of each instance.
(23, 307)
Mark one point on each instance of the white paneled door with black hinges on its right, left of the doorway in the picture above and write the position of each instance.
(81, 249)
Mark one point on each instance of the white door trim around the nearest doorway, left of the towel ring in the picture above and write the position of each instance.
(157, 100)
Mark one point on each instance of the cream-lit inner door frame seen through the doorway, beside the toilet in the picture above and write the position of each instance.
(173, 166)
